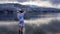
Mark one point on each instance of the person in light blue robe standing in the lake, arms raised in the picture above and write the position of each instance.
(20, 16)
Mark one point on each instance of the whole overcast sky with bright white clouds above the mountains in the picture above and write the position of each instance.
(41, 3)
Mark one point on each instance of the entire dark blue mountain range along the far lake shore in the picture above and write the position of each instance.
(15, 6)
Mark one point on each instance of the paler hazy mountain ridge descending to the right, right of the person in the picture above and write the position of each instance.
(43, 9)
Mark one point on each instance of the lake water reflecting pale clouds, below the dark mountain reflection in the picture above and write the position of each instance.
(47, 23)
